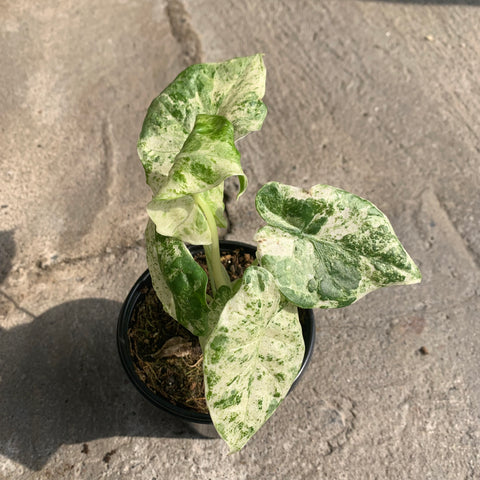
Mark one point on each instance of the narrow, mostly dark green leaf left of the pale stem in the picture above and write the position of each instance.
(179, 282)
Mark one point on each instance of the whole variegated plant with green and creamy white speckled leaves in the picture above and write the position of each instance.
(322, 248)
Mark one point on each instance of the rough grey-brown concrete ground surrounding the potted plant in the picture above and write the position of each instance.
(378, 97)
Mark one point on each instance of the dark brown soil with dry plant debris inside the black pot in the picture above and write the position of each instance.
(167, 357)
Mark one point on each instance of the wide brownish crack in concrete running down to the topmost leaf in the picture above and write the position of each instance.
(183, 32)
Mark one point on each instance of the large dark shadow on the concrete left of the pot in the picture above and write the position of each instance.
(62, 383)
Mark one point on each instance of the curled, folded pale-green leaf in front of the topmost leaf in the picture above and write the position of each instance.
(195, 181)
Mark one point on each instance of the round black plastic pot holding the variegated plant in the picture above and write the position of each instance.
(200, 422)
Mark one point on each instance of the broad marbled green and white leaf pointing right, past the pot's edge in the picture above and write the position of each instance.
(327, 247)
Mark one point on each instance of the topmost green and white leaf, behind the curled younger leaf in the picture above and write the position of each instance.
(232, 89)
